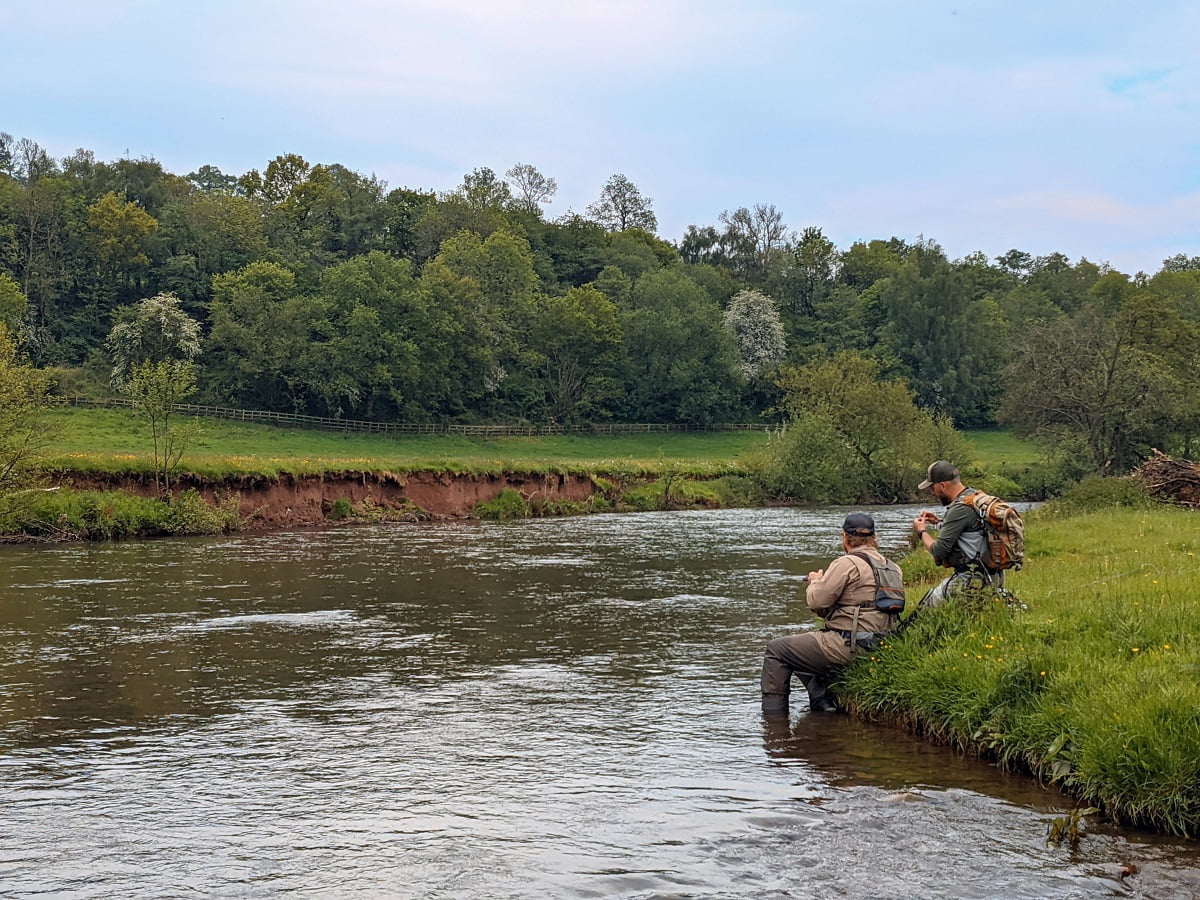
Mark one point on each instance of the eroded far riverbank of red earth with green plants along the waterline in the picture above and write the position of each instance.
(93, 506)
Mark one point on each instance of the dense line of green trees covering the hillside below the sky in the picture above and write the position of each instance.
(317, 290)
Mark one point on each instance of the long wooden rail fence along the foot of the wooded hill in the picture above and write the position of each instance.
(405, 429)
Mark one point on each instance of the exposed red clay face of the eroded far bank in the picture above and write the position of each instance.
(291, 501)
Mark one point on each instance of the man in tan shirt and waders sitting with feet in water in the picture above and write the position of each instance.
(843, 596)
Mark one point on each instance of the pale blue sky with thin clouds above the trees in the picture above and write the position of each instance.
(1069, 128)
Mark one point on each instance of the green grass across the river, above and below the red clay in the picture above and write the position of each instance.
(629, 472)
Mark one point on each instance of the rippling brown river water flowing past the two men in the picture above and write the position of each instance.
(545, 709)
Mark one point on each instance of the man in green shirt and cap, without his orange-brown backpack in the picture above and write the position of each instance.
(961, 542)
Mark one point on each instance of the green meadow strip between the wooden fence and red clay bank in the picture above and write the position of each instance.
(116, 441)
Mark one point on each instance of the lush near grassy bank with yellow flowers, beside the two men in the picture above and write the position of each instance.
(1094, 688)
